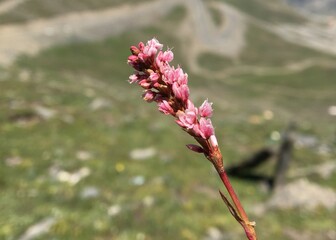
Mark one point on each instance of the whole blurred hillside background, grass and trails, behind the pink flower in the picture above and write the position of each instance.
(83, 157)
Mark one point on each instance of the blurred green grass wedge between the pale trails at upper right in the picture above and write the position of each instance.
(262, 49)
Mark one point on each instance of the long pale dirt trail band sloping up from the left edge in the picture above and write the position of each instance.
(33, 36)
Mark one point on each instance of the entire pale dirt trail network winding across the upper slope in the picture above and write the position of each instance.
(198, 32)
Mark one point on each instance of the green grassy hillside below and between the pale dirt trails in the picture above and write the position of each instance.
(70, 110)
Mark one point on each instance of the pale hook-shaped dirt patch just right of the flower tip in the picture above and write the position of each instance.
(202, 35)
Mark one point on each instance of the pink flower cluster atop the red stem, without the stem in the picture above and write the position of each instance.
(168, 87)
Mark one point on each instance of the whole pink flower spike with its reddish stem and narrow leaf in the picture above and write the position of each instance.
(168, 87)
